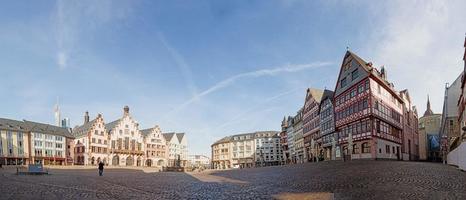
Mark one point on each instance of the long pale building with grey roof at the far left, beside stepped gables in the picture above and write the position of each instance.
(27, 142)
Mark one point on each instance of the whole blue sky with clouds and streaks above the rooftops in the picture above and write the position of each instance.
(214, 68)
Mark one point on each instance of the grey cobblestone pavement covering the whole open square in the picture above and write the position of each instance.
(324, 180)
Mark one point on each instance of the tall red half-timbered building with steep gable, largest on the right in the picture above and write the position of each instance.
(368, 109)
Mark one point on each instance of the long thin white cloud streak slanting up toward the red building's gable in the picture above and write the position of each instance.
(254, 74)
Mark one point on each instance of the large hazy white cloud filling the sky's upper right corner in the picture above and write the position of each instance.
(420, 43)
